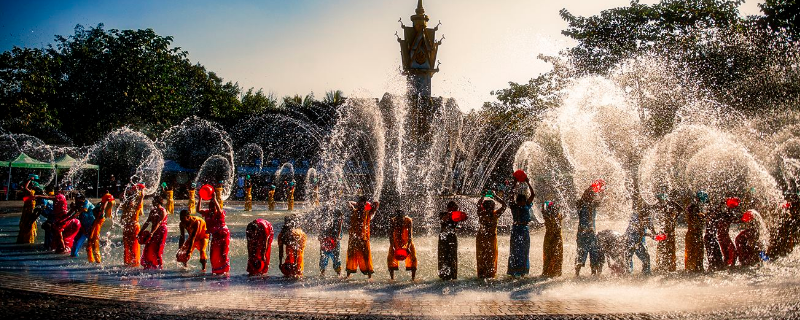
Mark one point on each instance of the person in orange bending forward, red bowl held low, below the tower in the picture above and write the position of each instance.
(401, 237)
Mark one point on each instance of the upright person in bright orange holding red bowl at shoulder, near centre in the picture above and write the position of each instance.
(359, 255)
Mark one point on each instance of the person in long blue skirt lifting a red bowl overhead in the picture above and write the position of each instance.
(520, 245)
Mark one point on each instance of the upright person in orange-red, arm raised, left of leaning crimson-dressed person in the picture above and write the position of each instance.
(132, 207)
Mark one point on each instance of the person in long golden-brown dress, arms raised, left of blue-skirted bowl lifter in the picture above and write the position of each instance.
(486, 238)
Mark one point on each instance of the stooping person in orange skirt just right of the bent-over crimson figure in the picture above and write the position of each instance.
(292, 243)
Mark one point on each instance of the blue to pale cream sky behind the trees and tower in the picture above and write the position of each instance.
(301, 46)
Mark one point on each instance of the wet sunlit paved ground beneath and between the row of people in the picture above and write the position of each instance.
(35, 283)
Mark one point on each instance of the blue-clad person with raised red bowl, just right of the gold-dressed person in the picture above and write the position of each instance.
(587, 236)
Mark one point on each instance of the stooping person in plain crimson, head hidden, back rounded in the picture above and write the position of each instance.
(259, 245)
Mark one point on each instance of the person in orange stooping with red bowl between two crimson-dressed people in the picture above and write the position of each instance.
(195, 227)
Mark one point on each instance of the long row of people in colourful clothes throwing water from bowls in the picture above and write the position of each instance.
(71, 226)
